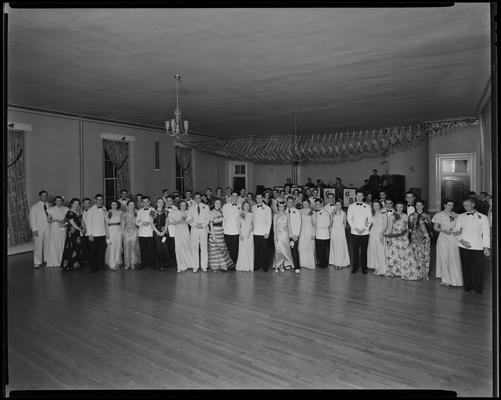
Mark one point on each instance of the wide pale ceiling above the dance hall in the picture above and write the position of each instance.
(250, 71)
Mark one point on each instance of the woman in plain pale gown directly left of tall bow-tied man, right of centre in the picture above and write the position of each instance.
(339, 255)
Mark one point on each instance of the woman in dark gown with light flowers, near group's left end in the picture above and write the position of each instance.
(72, 258)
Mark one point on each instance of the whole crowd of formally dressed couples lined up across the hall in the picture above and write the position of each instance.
(285, 229)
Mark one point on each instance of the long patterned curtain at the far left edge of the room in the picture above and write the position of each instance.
(18, 227)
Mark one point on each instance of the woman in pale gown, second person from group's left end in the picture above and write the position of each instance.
(57, 232)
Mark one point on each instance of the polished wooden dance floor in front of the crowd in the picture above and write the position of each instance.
(320, 329)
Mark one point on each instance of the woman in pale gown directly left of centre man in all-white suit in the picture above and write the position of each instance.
(182, 240)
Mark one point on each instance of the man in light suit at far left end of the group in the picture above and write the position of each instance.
(40, 229)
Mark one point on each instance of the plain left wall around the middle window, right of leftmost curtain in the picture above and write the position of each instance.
(52, 156)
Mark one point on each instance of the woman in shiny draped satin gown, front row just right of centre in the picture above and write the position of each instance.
(283, 253)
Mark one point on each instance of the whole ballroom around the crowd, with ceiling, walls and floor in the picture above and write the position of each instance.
(267, 94)
